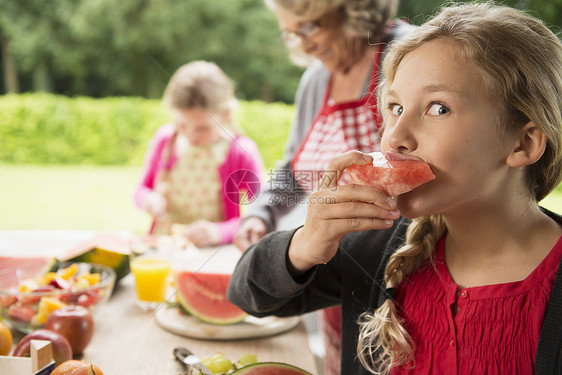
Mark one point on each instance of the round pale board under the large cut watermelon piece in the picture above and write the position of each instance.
(173, 321)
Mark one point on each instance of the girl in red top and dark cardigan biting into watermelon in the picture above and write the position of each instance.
(467, 280)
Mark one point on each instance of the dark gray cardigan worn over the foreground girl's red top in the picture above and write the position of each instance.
(262, 286)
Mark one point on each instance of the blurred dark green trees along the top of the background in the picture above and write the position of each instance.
(131, 47)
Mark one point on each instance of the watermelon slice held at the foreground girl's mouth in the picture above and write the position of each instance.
(394, 176)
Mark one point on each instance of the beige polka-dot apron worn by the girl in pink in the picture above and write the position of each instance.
(194, 187)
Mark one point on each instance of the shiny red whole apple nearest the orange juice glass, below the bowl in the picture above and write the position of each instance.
(75, 323)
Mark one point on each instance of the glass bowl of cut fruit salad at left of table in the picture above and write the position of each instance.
(26, 303)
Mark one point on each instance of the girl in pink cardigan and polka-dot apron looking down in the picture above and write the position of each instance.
(195, 165)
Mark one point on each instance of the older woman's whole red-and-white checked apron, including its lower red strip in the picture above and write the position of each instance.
(338, 128)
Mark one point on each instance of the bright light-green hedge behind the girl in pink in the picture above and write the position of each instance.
(50, 129)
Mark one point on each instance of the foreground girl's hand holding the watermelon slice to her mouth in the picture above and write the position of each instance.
(336, 210)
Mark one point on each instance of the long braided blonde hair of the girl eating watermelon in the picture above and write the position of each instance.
(520, 61)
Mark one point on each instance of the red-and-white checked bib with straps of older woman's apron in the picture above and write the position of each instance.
(338, 128)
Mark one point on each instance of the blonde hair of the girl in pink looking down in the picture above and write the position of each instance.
(200, 84)
